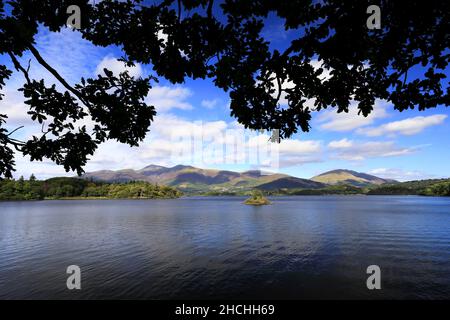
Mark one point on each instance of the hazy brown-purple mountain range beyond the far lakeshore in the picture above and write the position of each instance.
(196, 180)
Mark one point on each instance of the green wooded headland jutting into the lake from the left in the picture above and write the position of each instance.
(58, 188)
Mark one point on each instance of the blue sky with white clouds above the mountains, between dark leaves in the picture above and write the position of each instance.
(193, 125)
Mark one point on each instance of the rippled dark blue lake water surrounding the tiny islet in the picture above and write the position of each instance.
(296, 248)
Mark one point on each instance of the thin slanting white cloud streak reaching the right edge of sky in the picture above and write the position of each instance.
(408, 126)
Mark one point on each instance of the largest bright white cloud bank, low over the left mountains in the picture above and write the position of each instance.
(174, 140)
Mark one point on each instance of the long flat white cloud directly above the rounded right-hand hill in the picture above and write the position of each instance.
(358, 151)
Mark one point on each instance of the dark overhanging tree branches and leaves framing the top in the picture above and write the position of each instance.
(224, 42)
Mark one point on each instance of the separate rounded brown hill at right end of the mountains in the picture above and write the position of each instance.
(349, 177)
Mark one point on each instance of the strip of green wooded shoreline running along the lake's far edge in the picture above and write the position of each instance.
(82, 189)
